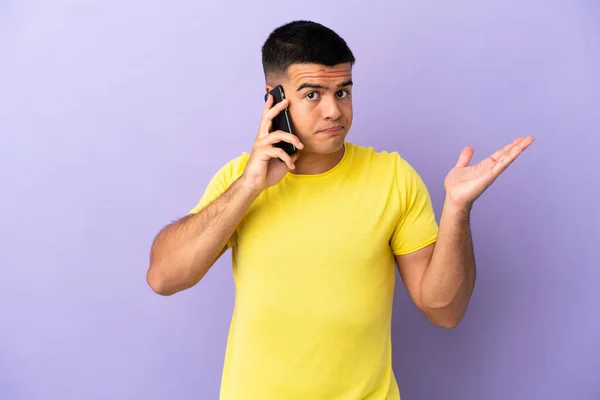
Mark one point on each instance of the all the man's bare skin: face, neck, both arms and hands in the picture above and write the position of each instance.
(439, 278)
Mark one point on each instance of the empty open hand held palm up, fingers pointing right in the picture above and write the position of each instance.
(465, 183)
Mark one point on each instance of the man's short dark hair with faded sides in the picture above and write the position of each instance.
(303, 42)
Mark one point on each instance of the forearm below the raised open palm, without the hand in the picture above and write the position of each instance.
(449, 278)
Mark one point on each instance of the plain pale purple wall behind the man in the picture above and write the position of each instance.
(115, 114)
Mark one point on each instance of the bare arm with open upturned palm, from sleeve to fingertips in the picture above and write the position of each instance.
(440, 278)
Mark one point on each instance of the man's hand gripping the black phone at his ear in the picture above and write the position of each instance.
(267, 164)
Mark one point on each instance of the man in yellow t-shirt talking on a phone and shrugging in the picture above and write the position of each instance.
(315, 238)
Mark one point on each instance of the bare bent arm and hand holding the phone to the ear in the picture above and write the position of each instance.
(183, 252)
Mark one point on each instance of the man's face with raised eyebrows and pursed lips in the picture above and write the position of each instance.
(320, 105)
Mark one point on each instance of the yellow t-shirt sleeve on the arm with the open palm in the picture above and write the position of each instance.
(417, 226)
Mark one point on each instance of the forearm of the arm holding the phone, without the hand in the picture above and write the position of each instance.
(184, 251)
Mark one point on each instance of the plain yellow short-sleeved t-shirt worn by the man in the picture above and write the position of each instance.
(314, 271)
